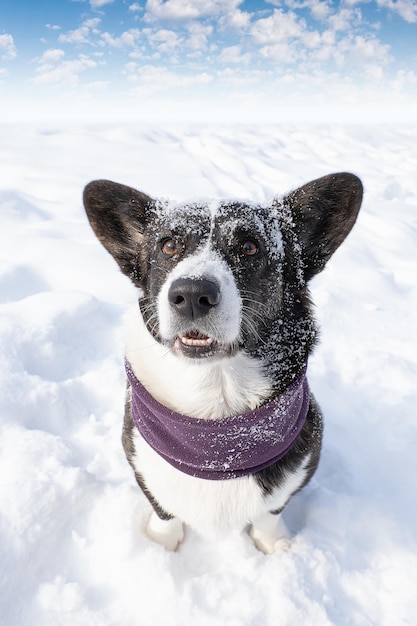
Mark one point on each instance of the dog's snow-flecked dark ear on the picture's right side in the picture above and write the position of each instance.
(324, 212)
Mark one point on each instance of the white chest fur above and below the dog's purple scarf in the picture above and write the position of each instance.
(210, 391)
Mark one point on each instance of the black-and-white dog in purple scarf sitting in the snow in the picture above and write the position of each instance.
(220, 426)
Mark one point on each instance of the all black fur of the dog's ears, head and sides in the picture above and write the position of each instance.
(278, 327)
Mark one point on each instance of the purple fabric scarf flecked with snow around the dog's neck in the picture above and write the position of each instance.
(225, 448)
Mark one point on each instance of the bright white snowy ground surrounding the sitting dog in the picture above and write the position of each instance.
(72, 549)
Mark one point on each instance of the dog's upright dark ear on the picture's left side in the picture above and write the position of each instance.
(118, 215)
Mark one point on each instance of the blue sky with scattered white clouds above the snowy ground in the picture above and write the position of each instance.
(199, 60)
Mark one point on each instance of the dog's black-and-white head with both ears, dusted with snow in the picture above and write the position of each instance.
(219, 277)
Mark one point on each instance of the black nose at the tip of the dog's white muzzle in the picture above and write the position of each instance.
(193, 297)
